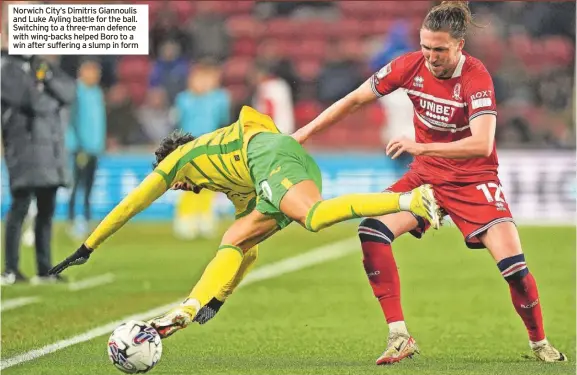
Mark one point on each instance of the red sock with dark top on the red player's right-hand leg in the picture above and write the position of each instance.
(524, 294)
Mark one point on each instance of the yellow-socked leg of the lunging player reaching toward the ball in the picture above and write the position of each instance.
(244, 234)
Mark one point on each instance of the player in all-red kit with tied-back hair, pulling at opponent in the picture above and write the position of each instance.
(455, 119)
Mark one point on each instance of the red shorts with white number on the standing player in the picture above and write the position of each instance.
(473, 207)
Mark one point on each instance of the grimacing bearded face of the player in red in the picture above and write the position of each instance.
(441, 51)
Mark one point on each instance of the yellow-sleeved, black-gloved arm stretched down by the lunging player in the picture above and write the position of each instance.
(140, 198)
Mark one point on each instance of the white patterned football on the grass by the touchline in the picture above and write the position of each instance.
(134, 347)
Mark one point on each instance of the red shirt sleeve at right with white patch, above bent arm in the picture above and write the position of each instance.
(480, 95)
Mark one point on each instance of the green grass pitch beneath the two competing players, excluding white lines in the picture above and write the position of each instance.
(319, 320)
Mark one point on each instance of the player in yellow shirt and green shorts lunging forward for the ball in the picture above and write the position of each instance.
(270, 179)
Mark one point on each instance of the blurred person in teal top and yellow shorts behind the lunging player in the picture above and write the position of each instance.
(203, 108)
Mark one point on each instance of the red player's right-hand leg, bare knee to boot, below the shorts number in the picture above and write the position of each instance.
(502, 241)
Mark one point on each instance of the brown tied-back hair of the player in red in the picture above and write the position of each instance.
(453, 17)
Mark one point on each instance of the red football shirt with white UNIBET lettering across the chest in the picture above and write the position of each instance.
(443, 109)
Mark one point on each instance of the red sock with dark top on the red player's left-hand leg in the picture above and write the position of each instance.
(381, 267)
